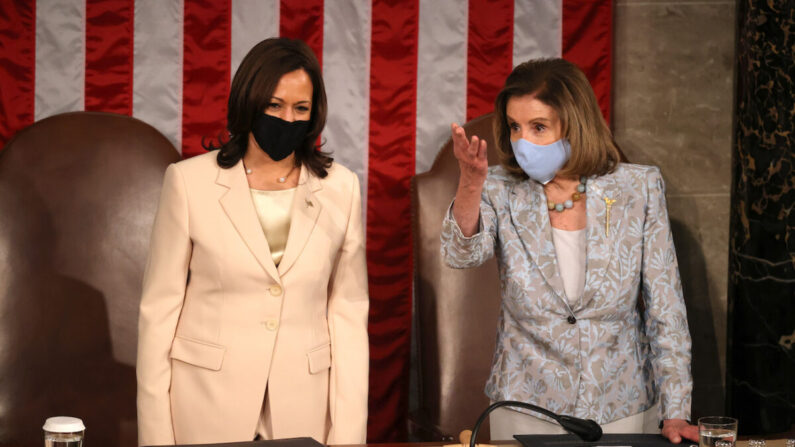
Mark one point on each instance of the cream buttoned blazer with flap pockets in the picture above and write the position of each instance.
(219, 321)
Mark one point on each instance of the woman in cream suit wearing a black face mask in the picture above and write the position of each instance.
(253, 319)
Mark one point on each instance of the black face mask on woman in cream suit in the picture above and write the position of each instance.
(277, 137)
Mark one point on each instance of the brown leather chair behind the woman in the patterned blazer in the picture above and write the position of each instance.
(457, 310)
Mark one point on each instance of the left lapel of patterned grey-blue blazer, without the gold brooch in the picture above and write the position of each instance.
(531, 219)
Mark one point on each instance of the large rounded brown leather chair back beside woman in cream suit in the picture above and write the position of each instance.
(78, 194)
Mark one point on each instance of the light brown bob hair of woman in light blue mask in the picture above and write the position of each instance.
(561, 85)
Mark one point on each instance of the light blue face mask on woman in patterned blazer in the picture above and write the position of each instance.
(541, 163)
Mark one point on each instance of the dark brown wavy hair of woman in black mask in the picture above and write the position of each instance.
(251, 92)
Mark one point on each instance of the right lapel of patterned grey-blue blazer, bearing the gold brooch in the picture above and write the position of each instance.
(605, 207)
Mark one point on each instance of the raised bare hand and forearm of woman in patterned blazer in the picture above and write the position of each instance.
(471, 156)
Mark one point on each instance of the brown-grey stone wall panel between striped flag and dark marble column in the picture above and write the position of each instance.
(673, 101)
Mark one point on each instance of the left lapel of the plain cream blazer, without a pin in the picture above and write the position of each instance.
(239, 207)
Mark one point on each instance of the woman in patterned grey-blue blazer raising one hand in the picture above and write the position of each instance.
(577, 236)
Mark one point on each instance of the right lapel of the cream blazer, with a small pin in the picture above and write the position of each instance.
(303, 217)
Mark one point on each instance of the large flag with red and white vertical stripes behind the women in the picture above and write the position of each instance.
(398, 72)
